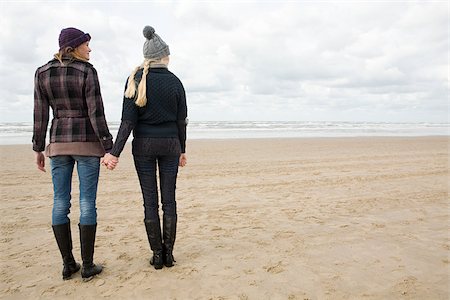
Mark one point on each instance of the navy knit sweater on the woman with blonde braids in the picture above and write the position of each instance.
(164, 115)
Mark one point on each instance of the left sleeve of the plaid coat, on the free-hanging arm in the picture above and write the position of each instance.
(41, 116)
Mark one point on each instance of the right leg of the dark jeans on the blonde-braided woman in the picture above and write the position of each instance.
(168, 170)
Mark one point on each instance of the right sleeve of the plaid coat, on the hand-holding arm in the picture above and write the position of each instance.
(95, 109)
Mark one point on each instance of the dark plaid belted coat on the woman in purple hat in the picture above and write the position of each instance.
(72, 91)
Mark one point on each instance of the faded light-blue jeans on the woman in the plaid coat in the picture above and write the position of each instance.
(88, 168)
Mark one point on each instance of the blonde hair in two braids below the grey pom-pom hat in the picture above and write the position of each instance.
(130, 92)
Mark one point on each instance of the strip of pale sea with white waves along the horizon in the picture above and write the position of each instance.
(21, 132)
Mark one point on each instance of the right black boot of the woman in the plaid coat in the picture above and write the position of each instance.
(87, 238)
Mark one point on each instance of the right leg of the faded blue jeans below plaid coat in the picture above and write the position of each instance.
(88, 168)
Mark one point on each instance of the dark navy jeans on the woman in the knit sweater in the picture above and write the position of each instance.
(146, 171)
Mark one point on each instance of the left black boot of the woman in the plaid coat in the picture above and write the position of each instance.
(63, 237)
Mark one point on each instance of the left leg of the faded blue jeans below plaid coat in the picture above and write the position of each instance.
(62, 169)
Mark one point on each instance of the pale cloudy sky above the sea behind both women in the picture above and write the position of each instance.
(360, 61)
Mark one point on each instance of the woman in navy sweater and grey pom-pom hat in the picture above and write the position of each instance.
(154, 108)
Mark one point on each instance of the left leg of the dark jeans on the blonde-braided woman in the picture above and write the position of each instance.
(146, 171)
